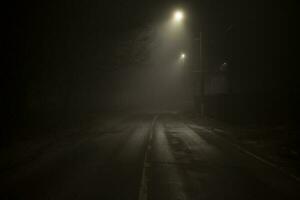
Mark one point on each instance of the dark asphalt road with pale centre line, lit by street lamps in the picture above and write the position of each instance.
(154, 157)
